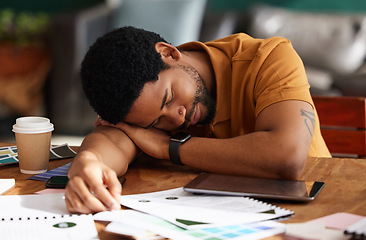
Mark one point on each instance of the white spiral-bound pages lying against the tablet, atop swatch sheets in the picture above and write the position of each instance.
(192, 211)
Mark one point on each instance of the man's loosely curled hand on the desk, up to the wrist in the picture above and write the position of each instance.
(92, 186)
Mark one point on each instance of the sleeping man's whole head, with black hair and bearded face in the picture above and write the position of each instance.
(124, 62)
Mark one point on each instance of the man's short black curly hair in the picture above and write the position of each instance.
(116, 68)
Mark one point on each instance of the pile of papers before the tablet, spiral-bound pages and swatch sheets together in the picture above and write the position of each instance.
(178, 215)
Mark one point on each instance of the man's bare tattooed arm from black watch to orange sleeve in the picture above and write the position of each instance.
(278, 147)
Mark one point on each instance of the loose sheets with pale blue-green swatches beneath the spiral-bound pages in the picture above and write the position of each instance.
(148, 224)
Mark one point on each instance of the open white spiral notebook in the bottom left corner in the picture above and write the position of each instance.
(42, 217)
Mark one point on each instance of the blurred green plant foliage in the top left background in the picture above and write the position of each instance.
(23, 28)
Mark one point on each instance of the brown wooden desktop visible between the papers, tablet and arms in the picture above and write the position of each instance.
(344, 190)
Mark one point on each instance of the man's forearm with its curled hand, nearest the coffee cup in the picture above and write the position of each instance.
(93, 185)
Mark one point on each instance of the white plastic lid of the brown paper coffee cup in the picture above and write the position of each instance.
(32, 125)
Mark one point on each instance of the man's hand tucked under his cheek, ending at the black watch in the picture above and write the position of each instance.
(153, 142)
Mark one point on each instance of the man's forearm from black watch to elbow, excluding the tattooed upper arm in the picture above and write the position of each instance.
(260, 154)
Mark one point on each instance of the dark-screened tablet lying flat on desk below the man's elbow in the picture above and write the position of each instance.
(210, 183)
